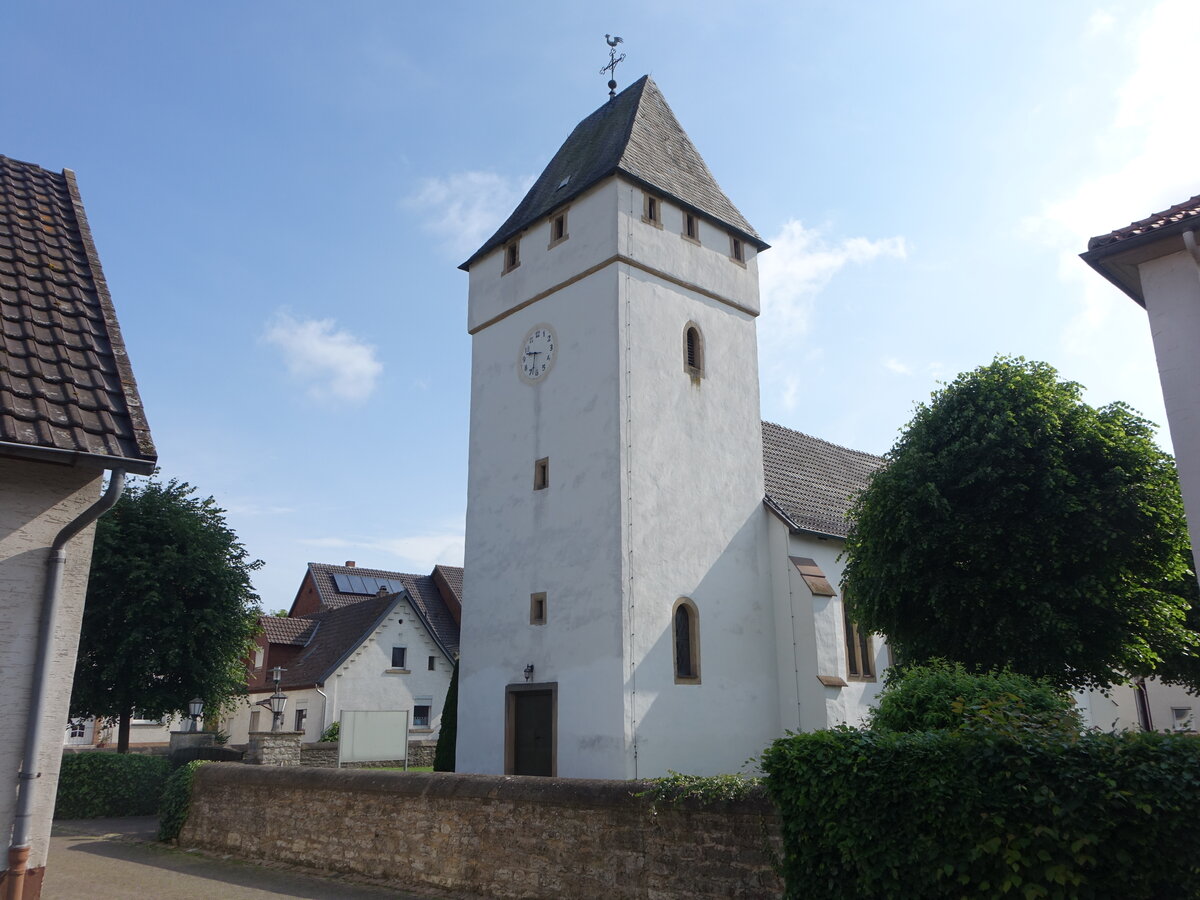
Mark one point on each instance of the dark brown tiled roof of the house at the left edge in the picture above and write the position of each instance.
(67, 387)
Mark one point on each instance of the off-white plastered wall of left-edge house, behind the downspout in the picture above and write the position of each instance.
(40, 501)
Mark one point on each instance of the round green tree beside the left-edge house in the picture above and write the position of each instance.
(171, 613)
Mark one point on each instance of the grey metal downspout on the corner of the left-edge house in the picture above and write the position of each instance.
(19, 850)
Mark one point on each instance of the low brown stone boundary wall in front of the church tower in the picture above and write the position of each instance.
(491, 836)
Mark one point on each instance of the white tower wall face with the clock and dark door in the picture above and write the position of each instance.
(565, 541)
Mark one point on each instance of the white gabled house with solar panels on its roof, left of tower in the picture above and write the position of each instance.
(358, 639)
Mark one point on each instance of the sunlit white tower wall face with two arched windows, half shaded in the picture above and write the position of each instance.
(694, 524)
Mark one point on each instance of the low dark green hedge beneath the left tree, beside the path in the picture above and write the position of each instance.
(99, 784)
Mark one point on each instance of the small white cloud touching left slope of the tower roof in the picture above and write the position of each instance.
(464, 209)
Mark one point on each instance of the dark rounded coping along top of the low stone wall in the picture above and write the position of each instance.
(451, 787)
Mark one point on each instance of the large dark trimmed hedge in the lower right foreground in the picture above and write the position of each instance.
(986, 814)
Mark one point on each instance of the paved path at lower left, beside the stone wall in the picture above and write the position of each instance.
(119, 860)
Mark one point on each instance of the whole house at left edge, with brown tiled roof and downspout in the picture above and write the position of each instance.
(69, 412)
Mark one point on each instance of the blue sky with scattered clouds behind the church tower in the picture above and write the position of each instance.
(281, 194)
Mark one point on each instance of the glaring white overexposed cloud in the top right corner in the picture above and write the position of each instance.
(1153, 118)
